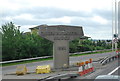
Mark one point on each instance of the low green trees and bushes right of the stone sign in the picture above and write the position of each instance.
(89, 45)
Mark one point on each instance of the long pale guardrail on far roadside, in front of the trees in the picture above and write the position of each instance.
(12, 61)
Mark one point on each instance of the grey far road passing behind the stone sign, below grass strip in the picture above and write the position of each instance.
(32, 66)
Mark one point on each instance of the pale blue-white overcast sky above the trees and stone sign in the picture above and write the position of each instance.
(95, 16)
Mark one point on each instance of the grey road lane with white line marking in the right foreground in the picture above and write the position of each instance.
(112, 68)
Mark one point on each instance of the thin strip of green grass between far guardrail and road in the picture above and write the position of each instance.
(45, 59)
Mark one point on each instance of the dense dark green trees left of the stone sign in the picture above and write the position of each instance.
(17, 45)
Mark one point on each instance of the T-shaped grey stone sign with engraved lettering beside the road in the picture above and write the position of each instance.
(60, 35)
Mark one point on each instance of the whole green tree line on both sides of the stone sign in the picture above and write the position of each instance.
(17, 45)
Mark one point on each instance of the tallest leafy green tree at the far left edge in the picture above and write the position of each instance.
(10, 37)
